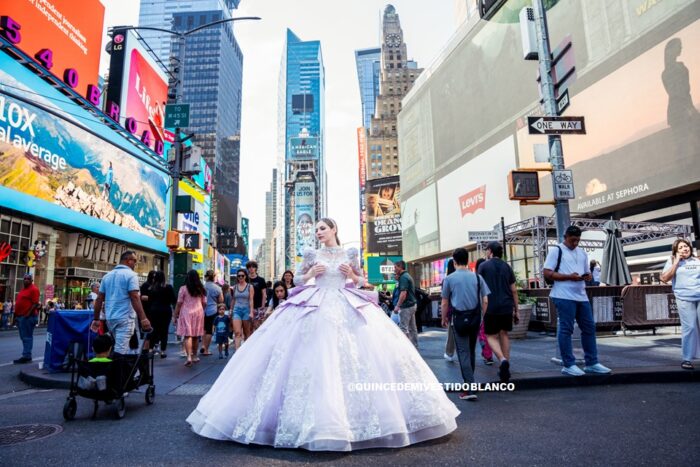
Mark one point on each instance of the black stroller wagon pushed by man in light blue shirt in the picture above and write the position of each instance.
(108, 382)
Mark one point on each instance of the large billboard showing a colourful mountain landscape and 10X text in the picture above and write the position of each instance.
(61, 163)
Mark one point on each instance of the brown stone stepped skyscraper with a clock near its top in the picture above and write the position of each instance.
(397, 77)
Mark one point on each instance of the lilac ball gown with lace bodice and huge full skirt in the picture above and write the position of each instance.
(294, 383)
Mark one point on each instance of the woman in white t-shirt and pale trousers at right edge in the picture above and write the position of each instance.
(683, 270)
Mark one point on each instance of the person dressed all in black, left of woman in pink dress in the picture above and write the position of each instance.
(161, 300)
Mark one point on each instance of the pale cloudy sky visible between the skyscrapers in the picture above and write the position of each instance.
(342, 27)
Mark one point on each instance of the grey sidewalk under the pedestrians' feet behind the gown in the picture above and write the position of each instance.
(637, 358)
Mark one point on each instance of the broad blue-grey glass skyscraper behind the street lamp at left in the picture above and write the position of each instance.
(212, 85)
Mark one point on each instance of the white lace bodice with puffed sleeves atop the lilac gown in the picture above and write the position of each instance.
(332, 258)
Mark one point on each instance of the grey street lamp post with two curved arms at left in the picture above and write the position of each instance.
(175, 171)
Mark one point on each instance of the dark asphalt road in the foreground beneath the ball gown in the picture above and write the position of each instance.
(606, 425)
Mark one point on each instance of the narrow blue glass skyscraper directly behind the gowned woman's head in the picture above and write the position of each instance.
(301, 143)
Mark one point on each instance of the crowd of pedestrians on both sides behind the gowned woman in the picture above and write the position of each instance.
(479, 305)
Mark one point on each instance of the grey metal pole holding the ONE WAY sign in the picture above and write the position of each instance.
(561, 206)
